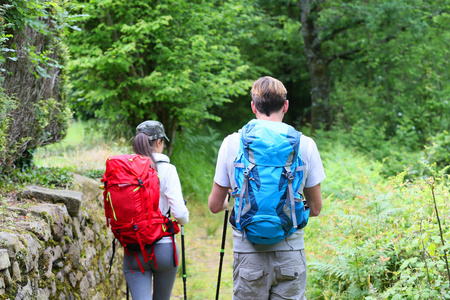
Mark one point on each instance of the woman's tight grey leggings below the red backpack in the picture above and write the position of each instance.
(163, 277)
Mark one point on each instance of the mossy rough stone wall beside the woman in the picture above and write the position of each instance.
(54, 245)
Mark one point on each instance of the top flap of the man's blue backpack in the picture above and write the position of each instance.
(270, 144)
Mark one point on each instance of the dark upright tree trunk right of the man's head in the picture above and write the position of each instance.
(317, 65)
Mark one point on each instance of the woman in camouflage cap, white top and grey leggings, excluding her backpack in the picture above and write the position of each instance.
(149, 141)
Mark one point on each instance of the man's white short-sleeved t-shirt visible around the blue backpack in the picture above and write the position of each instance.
(224, 176)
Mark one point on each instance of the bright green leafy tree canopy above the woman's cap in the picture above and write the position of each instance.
(171, 61)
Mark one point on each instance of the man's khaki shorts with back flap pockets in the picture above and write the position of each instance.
(269, 275)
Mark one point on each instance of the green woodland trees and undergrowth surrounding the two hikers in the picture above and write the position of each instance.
(368, 80)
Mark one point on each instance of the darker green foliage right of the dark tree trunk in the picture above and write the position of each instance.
(395, 80)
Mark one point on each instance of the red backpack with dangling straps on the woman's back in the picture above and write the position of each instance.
(131, 200)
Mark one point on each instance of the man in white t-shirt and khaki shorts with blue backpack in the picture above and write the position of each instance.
(263, 269)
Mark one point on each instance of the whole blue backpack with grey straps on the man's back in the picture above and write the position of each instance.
(269, 205)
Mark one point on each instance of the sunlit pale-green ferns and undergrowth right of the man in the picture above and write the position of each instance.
(378, 238)
